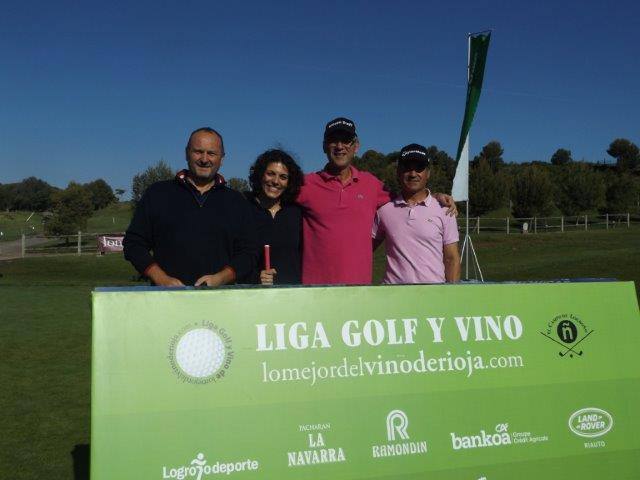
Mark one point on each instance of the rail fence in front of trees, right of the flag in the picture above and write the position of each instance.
(509, 225)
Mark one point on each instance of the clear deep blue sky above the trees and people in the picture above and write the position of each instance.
(103, 90)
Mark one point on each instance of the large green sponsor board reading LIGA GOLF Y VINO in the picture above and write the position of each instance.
(497, 381)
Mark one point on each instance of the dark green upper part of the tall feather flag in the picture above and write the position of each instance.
(479, 46)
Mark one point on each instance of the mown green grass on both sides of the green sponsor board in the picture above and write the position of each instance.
(45, 331)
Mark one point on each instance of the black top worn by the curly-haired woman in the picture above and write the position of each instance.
(283, 233)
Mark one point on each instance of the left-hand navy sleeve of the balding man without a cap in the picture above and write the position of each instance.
(138, 240)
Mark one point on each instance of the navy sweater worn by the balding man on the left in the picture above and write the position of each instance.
(189, 234)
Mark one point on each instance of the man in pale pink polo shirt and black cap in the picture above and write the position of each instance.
(421, 239)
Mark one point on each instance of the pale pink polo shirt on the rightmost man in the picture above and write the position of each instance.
(415, 237)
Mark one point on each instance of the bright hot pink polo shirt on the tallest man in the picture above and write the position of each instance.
(336, 227)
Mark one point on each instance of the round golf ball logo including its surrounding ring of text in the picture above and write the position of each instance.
(201, 352)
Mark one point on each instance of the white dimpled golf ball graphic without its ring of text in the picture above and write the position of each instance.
(200, 352)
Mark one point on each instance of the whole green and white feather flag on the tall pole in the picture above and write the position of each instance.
(478, 48)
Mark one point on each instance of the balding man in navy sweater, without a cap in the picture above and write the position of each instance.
(193, 230)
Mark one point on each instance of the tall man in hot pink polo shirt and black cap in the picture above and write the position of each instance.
(339, 204)
